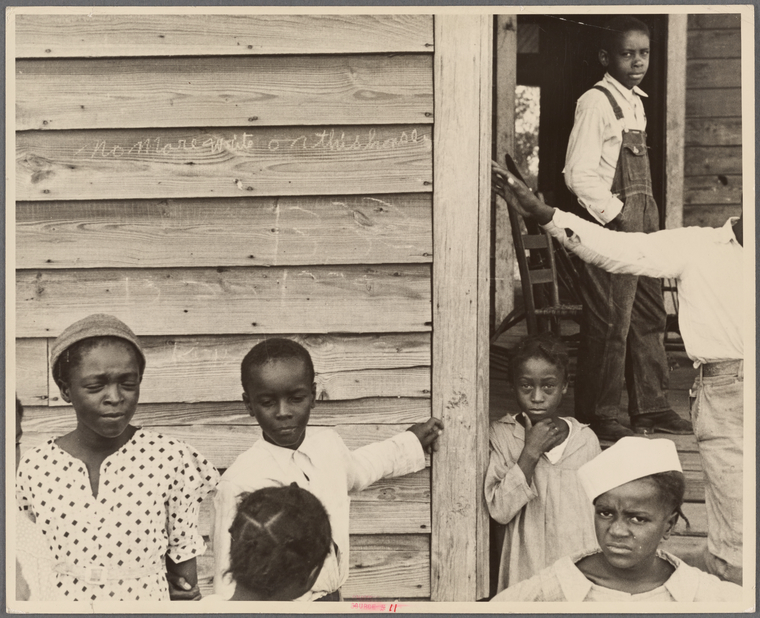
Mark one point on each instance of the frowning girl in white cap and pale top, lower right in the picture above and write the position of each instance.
(636, 507)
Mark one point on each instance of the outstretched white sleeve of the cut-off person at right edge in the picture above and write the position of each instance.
(659, 254)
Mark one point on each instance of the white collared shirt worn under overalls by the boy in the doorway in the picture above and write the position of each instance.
(594, 146)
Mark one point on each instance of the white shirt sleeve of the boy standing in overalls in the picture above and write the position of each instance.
(584, 153)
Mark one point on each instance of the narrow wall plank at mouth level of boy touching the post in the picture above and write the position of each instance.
(390, 410)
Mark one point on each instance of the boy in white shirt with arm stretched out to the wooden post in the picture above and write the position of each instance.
(279, 391)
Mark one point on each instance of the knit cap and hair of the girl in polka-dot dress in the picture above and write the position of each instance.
(74, 342)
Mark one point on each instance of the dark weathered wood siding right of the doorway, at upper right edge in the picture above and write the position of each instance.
(713, 134)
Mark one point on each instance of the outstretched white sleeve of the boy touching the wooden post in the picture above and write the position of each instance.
(402, 454)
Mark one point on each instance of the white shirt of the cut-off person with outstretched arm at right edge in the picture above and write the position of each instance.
(707, 263)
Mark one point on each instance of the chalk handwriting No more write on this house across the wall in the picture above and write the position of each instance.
(325, 140)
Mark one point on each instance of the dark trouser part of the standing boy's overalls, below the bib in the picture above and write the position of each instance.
(622, 334)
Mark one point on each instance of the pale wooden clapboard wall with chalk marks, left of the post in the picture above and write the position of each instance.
(214, 179)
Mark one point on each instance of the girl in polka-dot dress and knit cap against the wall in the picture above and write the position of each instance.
(118, 504)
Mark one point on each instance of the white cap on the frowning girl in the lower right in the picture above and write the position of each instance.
(630, 458)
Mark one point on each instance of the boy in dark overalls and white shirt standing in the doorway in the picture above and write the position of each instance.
(607, 168)
